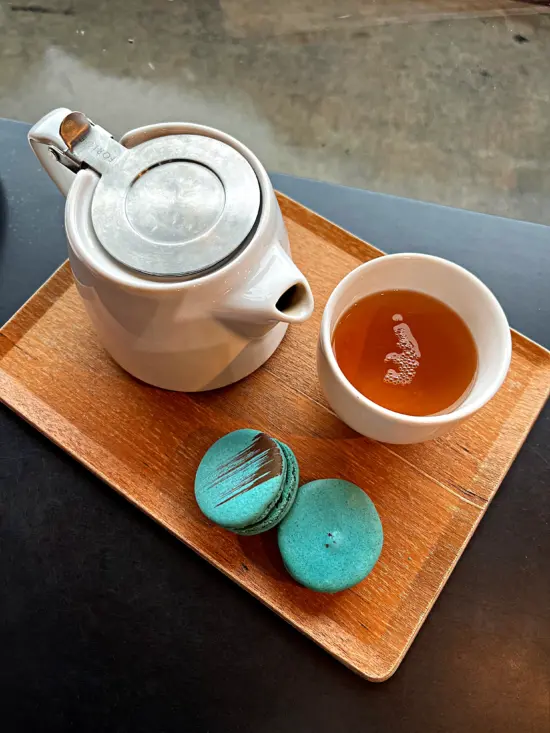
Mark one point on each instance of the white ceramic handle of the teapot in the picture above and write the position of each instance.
(46, 141)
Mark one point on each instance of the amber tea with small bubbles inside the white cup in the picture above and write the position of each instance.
(406, 351)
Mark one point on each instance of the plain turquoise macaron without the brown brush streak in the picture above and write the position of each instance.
(332, 536)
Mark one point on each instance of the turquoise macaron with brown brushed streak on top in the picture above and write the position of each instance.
(247, 482)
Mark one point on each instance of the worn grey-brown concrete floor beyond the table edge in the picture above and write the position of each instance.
(441, 106)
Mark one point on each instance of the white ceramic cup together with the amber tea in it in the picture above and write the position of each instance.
(410, 345)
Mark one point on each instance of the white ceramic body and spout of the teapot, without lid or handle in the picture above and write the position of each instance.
(188, 333)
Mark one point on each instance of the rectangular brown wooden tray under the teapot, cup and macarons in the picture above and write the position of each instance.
(147, 444)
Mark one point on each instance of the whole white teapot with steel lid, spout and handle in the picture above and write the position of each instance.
(178, 248)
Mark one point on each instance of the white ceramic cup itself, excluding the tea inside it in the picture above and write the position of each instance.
(449, 283)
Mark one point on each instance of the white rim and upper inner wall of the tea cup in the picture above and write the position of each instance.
(430, 420)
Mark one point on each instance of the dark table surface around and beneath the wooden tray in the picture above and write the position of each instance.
(108, 623)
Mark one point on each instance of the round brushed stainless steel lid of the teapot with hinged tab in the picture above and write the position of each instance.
(177, 205)
